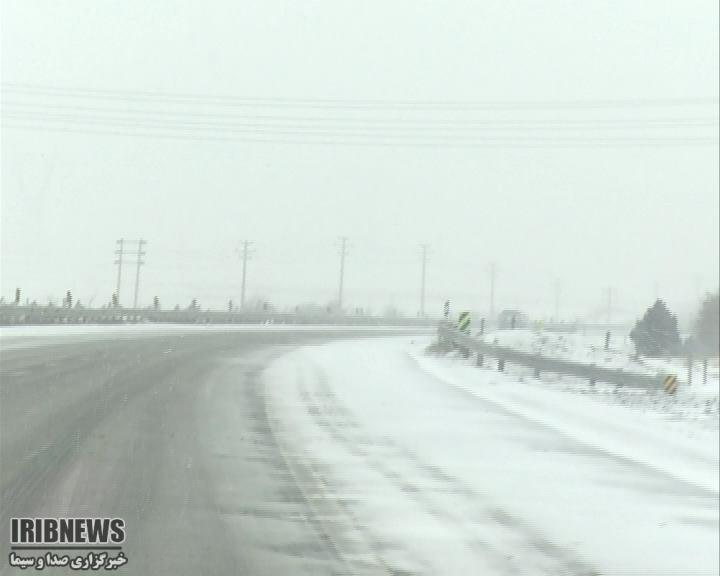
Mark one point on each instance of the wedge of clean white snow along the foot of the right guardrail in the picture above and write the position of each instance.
(645, 427)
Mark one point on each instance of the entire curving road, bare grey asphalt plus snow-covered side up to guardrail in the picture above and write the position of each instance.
(334, 453)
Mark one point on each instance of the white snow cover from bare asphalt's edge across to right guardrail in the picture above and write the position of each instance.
(426, 465)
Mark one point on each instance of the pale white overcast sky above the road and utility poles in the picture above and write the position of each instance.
(572, 143)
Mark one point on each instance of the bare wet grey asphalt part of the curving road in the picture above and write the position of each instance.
(169, 432)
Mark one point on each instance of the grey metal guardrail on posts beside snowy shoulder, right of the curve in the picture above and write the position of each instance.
(540, 363)
